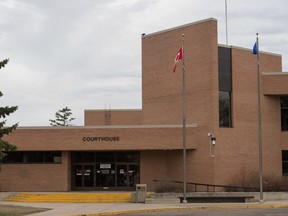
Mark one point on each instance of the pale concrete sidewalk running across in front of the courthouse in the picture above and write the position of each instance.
(94, 209)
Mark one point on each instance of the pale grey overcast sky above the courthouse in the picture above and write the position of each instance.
(87, 54)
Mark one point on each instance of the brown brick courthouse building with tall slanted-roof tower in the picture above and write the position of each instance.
(116, 149)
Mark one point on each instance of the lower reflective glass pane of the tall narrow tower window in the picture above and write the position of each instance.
(224, 109)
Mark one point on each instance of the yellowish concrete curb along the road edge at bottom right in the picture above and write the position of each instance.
(184, 208)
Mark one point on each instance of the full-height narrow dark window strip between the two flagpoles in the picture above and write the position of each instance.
(225, 86)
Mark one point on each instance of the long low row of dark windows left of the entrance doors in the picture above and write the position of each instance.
(33, 157)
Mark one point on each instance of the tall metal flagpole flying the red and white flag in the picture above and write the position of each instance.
(184, 123)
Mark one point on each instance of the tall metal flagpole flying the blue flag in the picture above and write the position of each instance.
(261, 200)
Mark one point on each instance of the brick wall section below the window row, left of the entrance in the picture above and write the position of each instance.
(36, 177)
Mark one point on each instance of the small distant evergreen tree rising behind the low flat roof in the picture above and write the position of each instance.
(63, 118)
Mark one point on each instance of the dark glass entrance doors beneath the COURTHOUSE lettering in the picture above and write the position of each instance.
(105, 170)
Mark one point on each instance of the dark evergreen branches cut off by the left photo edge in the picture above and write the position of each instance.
(4, 112)
